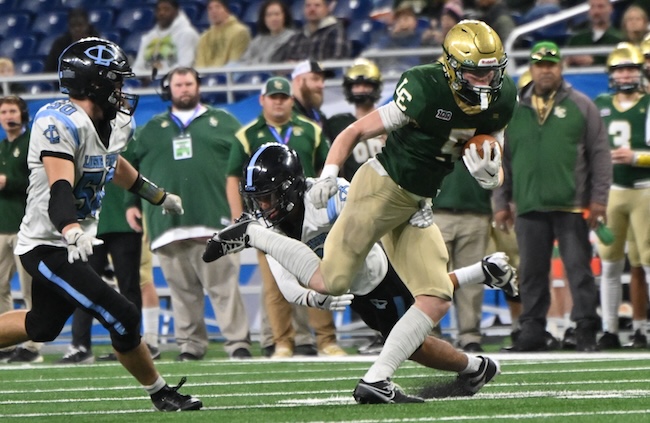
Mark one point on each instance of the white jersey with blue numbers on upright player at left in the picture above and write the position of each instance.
(62, 129)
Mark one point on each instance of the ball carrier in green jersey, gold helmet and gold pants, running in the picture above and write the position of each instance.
(436, 108)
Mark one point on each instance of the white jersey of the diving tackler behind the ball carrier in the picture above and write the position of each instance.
(317, 224)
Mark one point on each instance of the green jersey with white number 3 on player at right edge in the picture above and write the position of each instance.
(627, 129)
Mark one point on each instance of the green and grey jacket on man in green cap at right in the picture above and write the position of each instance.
(561, 165)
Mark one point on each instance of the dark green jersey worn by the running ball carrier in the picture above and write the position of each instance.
(419, 155)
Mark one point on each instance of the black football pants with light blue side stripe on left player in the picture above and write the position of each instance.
(59, 287)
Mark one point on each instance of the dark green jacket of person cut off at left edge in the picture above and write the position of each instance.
(13, 164)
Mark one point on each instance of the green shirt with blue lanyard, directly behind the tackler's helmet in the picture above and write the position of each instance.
(300, 134)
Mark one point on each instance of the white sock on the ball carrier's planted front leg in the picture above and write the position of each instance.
(406, 336)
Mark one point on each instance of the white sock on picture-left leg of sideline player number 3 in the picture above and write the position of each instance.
(611, 292)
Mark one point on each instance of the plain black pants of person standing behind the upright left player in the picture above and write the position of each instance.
(125, 249)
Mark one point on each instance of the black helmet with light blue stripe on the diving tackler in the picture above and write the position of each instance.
(273, 183)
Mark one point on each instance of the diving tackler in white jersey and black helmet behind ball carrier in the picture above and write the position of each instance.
(273, 187)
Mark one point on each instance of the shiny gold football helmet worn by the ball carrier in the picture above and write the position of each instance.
(473, 50)
